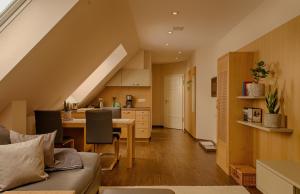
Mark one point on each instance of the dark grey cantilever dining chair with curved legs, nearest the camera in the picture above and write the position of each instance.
(99, 130)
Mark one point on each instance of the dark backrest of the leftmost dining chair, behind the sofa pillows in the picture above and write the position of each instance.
(47, 122)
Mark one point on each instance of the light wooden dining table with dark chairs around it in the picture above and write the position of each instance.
(74, 124)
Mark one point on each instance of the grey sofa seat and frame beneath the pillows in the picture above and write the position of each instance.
(82, 181)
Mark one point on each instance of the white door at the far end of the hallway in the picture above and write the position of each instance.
(173, 101)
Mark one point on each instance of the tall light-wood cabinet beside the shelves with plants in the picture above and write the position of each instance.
(234, 141)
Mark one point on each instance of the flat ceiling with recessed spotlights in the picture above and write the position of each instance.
(204, 21)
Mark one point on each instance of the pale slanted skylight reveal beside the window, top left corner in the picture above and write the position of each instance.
(28, 28)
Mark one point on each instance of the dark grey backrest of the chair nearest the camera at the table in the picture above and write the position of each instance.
(99, 127)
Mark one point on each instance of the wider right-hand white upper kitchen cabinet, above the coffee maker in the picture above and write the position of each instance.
(136, 77)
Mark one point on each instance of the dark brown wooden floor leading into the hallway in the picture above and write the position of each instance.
(170, 158)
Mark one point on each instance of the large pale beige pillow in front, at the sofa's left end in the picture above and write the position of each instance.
(21, 163)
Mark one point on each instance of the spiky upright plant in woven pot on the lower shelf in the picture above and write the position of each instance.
(272, 118)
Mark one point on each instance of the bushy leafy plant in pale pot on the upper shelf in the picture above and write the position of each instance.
(259, 72)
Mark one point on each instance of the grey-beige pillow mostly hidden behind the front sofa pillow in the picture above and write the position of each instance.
(48, 144)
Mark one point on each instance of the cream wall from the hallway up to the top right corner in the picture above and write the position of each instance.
(269, 15)
